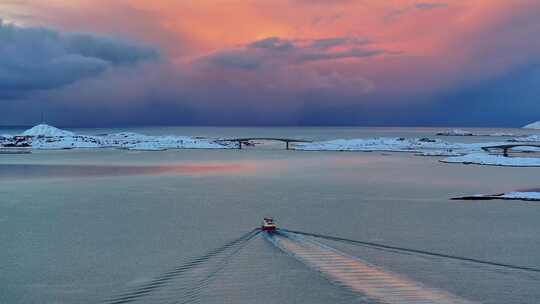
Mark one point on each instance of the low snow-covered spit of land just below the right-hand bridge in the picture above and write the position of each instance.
(494, 160)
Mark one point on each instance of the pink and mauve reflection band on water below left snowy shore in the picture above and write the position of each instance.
(17, 171)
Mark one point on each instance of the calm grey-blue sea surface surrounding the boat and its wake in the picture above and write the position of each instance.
(82, 226)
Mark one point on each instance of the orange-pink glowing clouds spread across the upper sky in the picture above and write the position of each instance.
(361, 51)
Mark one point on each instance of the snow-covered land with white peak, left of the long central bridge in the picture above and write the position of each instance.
(48, 137)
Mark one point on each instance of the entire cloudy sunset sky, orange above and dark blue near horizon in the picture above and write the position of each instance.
(98, 63)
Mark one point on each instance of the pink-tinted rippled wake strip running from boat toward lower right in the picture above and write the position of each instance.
(358, 276)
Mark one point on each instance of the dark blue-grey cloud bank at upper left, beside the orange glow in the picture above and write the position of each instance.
(34, 59)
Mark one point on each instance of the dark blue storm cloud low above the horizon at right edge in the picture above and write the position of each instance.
(509, 100)
